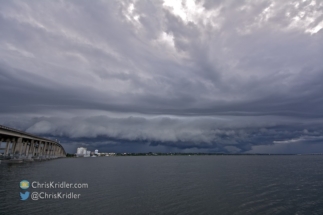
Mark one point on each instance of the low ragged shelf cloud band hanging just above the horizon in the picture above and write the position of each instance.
(237, 134)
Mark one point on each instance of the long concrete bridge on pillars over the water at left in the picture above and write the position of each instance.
(19, 146)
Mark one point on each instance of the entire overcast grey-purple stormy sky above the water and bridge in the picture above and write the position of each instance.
(165, 76)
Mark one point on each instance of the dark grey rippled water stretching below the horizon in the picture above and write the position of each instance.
(171, 185)
